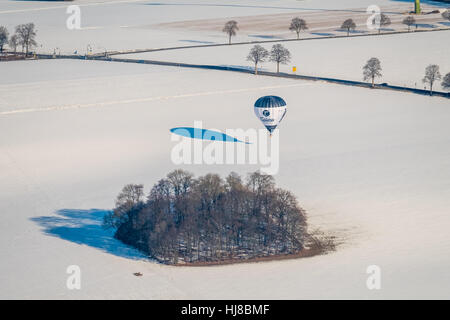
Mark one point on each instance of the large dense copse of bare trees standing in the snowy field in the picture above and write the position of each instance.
(210, 219)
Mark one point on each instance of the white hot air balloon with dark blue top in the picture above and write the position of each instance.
(270, 110)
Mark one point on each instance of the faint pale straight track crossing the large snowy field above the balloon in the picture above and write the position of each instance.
(148, 99)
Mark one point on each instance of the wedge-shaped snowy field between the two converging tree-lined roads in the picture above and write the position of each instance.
(339, 58)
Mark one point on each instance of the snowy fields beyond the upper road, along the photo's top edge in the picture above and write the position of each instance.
(131, 24)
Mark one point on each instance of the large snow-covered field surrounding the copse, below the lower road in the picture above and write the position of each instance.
(372, 165)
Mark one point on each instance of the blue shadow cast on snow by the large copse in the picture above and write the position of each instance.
(84, 227)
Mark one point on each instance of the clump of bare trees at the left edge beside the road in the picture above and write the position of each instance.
(24, 36)
